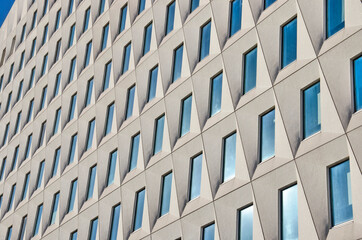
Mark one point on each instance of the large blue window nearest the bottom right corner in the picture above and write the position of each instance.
(340, 193)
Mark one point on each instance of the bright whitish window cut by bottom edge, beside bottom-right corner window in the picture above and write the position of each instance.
(289, 215)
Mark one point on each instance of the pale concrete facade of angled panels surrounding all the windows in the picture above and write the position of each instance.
(304, 162)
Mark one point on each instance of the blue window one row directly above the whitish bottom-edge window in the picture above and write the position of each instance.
(267, 138)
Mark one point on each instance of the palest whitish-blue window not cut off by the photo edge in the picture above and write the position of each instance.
(229, 157)
